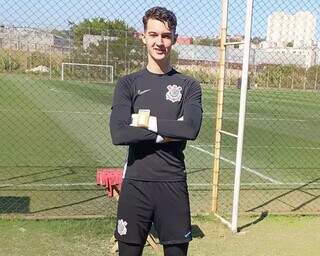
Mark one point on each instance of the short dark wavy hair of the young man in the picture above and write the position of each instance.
(162, 14)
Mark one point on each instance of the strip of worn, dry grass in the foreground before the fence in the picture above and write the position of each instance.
(274, 235)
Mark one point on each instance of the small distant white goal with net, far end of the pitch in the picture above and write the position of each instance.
(87, 72)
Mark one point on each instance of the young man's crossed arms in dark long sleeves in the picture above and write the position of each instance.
(162, 130)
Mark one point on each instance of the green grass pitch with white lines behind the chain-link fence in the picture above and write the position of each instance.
(55, 134)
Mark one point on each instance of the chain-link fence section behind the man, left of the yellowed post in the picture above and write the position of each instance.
(59, 63)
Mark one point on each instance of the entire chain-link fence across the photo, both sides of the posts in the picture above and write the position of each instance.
(60, 60)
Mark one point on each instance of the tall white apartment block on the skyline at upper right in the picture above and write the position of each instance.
(297, 31)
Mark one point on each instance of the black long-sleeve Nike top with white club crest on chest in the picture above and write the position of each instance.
(169, 97)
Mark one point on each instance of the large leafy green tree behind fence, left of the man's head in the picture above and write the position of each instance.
(119, 45)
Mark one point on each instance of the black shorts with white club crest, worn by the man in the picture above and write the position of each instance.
(165, 204)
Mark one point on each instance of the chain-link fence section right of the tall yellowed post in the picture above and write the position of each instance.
(280, 167)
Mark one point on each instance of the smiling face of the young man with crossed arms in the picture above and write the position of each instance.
(158, 39)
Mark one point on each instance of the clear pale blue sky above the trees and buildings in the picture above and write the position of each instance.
(195, 17)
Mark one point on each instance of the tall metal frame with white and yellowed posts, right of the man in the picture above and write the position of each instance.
(233, 225)
